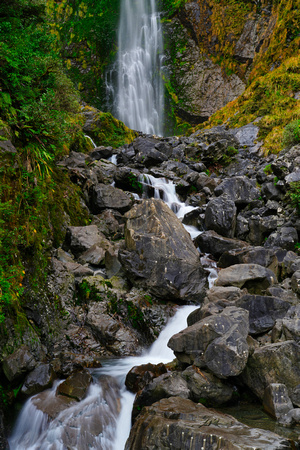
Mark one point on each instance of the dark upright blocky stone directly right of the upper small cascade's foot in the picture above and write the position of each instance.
(220, 216)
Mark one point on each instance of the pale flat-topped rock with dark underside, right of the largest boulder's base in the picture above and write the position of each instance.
(255, 278)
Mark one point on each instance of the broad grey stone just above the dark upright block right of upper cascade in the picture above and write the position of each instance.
(239, 189)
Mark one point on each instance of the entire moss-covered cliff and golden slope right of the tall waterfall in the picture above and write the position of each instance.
(229, 46)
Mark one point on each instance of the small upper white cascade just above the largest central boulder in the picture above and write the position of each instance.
(166, 191)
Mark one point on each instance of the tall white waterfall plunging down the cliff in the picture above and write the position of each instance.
(139, 97)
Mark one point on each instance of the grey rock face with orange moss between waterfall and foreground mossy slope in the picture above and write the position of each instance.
(211, 51)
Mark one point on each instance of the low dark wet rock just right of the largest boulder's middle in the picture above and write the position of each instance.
(211, 242)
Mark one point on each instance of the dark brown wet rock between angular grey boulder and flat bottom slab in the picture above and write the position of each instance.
(206, 388)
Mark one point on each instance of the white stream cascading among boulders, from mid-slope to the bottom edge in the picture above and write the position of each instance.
(95, 422)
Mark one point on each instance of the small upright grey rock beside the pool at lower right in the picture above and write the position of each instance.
(276, 400)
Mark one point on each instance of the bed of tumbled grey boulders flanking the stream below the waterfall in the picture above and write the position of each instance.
(116, 281)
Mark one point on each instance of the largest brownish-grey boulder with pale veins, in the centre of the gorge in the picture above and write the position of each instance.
(160, 255)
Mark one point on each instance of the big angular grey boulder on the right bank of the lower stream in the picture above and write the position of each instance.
(217, 342)
